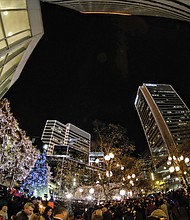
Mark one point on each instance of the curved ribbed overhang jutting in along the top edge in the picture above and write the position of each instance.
(173, 9)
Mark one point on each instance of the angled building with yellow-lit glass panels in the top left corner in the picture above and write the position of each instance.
(21, 28)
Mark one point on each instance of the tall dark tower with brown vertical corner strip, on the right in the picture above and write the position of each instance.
(165, 119)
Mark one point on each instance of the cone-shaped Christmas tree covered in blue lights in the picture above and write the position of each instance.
(38, 178)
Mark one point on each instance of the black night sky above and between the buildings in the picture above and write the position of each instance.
(89, 67)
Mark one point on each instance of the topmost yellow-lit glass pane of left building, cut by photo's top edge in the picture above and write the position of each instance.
(12, 4)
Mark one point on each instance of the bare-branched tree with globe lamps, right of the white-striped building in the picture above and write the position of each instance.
(118, 163)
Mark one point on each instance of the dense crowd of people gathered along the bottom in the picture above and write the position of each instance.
(156, 206)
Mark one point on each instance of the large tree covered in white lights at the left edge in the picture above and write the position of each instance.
(17, 154)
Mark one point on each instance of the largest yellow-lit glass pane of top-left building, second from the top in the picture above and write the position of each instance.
(15, 21)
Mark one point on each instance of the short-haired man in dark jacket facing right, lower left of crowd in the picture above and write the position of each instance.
(26, 212)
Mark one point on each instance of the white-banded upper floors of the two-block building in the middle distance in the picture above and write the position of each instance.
(58, 134)
